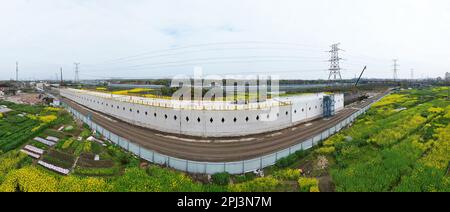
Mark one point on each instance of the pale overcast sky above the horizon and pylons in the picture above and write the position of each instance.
(160, 38)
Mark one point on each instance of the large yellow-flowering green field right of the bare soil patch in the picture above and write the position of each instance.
(405, 150)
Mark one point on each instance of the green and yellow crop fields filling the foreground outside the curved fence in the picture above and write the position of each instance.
(401, 144)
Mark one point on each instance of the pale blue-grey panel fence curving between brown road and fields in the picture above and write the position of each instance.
(238, 167)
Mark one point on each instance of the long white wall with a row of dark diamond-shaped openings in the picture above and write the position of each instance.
(207, 123)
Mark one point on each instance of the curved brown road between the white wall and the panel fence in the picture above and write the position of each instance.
(217, 150)
